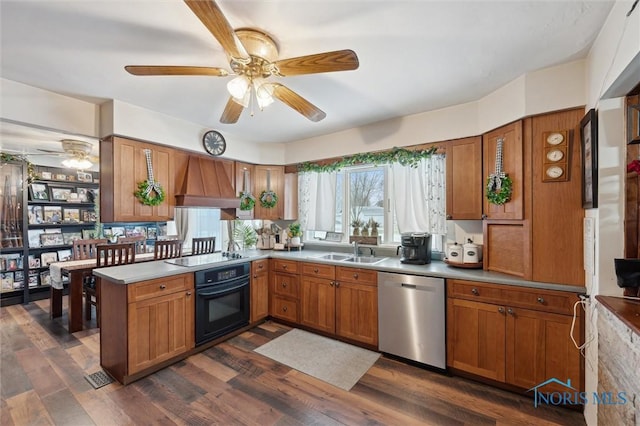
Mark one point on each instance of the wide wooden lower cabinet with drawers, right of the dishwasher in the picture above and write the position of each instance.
(521, 337)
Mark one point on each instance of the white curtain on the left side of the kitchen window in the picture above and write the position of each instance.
(317, 201)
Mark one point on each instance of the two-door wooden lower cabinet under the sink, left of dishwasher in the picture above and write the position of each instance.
(346, 306)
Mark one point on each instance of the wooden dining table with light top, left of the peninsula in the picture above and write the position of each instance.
(75, 270)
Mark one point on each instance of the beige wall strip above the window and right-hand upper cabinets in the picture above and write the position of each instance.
(546, 90)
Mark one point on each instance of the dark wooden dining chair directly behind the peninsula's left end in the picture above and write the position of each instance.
(107, 255)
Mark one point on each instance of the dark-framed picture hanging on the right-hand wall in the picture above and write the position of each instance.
(589, 154)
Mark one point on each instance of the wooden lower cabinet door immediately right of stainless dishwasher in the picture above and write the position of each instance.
(476, 338)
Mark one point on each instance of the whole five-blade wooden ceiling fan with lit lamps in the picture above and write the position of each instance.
(253, 58)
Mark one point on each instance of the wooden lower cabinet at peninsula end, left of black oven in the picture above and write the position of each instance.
(145, 324)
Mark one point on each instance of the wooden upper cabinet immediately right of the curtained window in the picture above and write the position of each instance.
(464, 178)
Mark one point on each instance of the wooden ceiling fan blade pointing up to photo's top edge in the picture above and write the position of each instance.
(212, 17)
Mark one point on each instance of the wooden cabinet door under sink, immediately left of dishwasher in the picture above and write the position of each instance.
(357, 312)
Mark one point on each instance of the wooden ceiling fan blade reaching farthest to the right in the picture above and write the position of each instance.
(338, 60)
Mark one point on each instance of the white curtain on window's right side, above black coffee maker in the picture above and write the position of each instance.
(419, 196)
